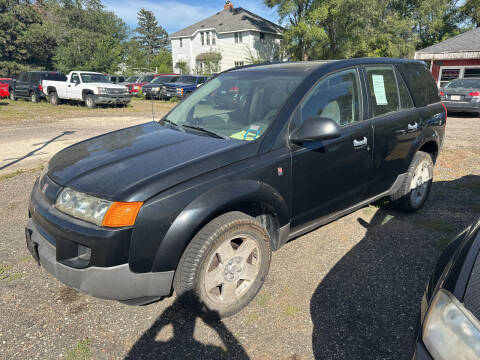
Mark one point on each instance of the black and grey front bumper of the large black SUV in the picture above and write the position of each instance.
(55, 238)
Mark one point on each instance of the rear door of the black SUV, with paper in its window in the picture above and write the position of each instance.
(396, 125)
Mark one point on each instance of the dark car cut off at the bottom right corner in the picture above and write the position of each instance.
(449, 326)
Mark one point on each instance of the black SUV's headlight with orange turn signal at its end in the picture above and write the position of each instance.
(97, 211)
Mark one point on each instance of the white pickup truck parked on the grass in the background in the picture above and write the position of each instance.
(89, 87)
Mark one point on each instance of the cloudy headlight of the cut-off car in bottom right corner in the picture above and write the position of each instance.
(450, 331)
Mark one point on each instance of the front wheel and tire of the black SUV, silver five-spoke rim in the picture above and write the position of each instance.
(215, 276)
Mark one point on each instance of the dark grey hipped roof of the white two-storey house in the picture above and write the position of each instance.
(237, 19)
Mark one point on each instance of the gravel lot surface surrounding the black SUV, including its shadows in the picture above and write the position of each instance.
(349, 290)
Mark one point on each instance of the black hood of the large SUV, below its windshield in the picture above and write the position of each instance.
(136, 163)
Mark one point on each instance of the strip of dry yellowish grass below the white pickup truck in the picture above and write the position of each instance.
(25, 110)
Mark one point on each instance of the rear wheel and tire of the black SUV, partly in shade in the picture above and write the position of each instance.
(416, 187)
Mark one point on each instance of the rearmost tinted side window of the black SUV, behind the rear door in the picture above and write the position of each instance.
(420, 83)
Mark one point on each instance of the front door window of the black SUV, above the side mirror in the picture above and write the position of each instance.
(336, 97)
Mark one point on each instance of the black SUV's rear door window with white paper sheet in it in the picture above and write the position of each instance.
(383, 89)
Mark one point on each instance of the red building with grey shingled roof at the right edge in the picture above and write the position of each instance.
(457, 57)
